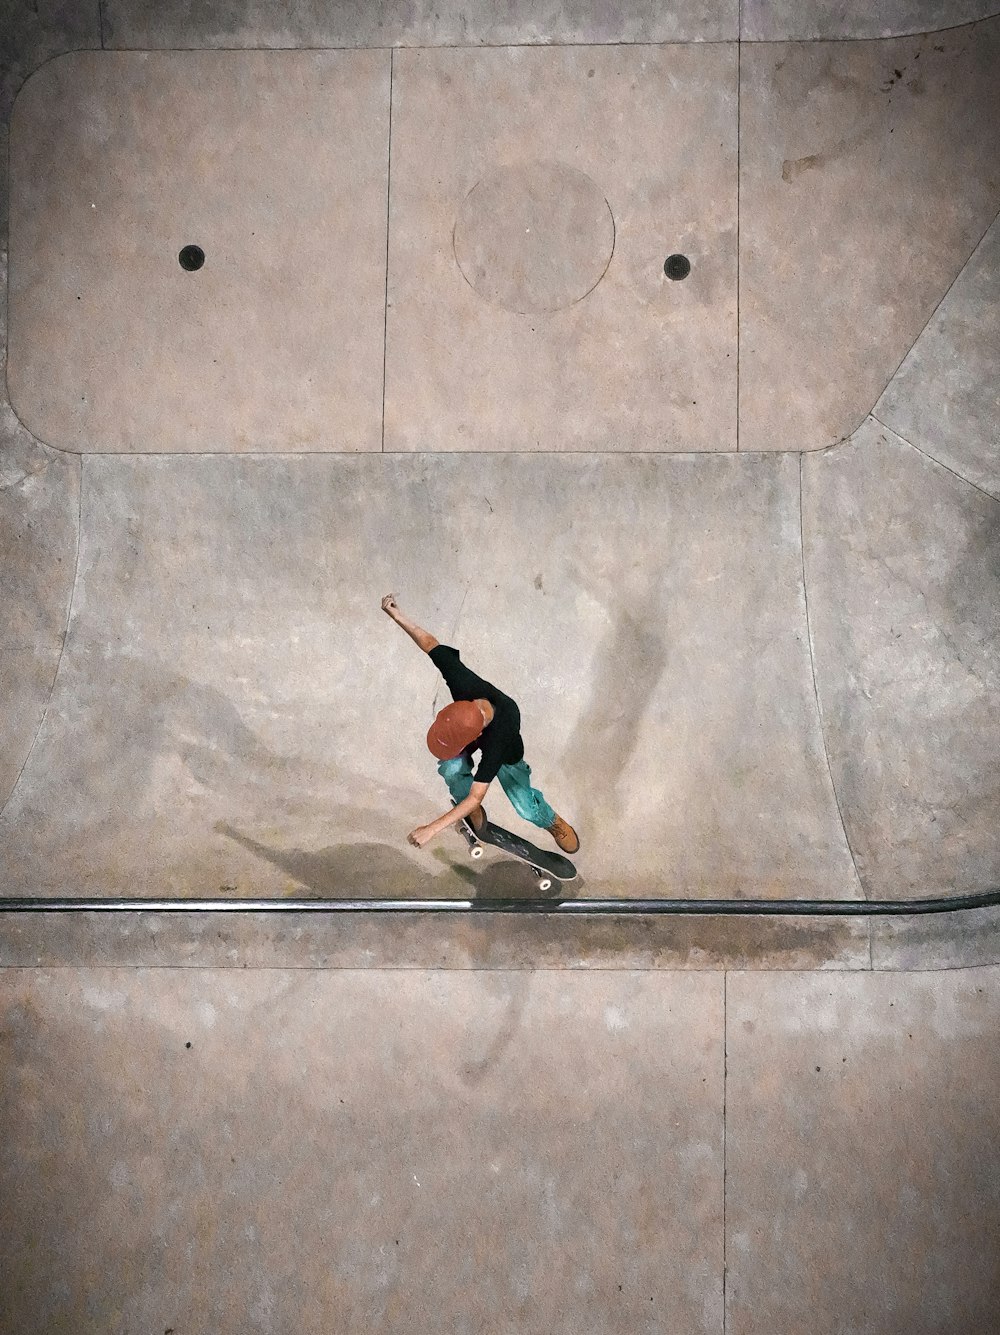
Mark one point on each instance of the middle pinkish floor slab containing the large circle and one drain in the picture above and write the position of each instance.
(636, 362)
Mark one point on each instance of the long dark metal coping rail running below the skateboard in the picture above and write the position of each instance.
(540, 907)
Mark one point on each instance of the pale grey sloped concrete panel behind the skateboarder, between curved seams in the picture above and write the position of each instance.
(236, 715)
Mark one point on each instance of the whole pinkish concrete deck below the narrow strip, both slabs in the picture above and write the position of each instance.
(525, 1151)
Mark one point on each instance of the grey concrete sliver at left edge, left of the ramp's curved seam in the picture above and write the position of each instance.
(39, 547)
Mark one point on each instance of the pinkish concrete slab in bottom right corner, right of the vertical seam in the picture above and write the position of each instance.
(863, 1154)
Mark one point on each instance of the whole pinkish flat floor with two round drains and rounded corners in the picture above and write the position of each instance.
(887, 150)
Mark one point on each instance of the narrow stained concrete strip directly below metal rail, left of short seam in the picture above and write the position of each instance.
(408, 942)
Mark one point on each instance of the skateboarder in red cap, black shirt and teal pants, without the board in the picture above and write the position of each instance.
(481, 719)
